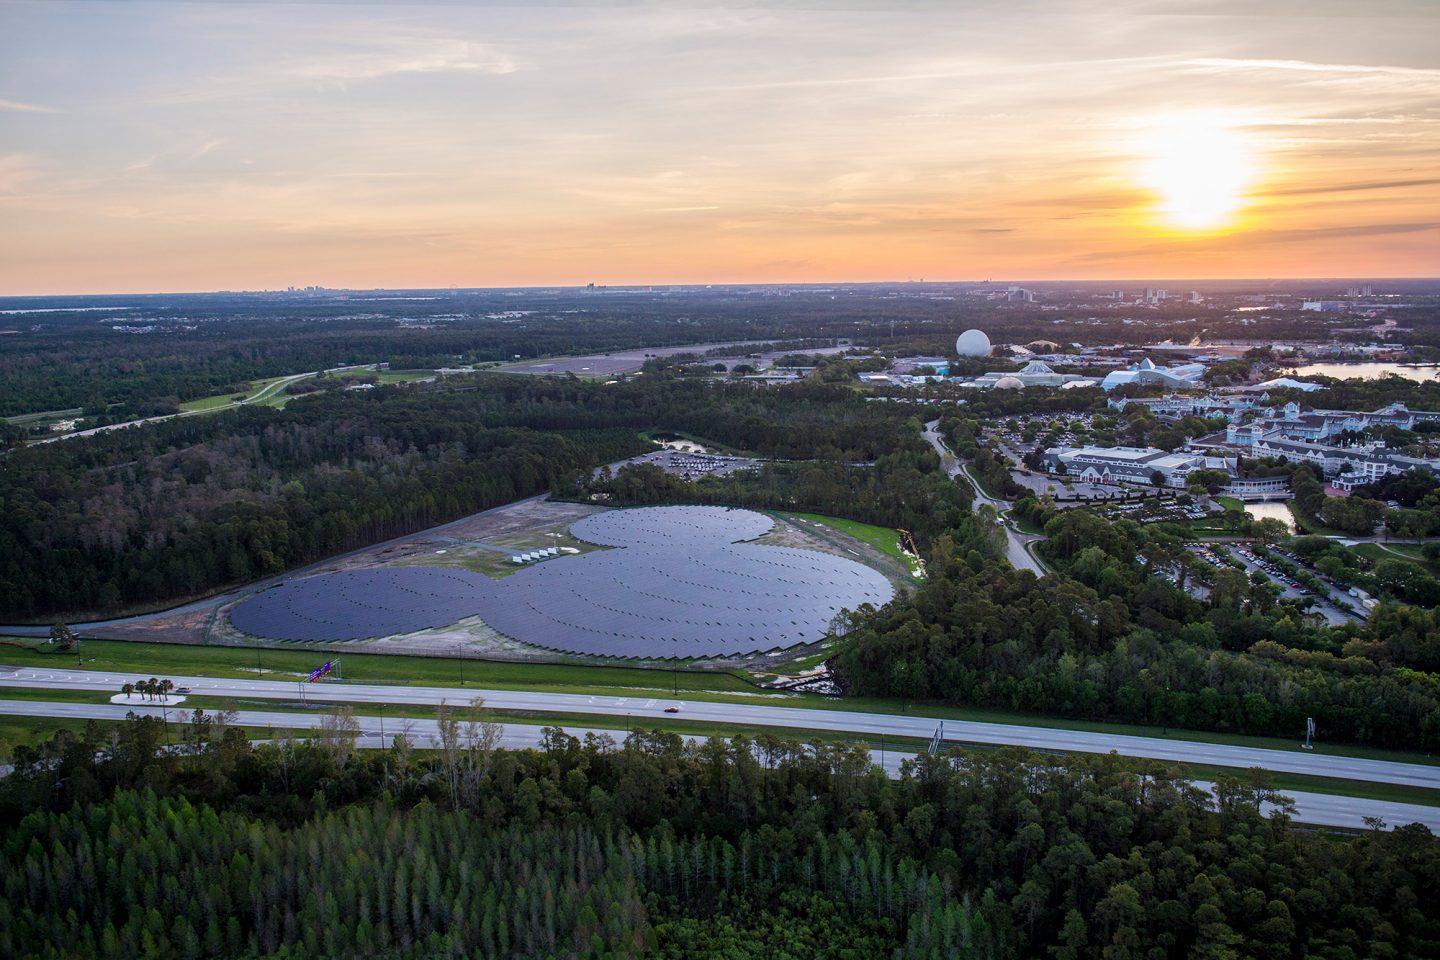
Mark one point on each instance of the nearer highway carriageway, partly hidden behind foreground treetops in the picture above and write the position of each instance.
(375, 732)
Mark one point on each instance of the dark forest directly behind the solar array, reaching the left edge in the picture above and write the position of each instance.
(185, 507)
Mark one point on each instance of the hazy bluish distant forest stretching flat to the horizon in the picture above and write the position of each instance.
(122, 356)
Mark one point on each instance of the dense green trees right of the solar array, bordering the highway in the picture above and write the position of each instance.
(1105, 640)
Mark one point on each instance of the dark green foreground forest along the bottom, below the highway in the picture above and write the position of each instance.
(754, 847)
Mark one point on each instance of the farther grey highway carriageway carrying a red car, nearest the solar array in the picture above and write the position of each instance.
(767, 716)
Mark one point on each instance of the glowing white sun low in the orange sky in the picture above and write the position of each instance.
(1200, 171)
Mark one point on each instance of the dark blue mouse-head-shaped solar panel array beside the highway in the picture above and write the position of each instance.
(680, 585)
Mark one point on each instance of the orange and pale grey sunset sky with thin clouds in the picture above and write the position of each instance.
(256, 146)
